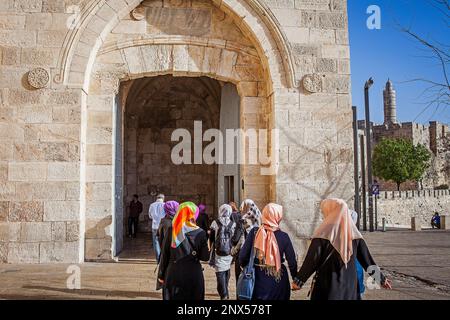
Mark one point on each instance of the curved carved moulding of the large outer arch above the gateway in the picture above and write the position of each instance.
(98, 17)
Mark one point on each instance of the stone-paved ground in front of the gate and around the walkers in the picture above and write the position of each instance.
(417, 262)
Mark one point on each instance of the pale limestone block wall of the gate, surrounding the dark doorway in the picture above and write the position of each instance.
(289, 60)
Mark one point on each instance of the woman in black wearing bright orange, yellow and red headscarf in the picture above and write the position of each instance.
(185, 245)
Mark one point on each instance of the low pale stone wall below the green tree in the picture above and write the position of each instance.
(399, 207)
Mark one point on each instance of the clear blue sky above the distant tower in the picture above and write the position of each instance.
(390, 53)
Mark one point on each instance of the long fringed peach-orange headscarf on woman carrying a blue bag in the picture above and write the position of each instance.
(266, 245)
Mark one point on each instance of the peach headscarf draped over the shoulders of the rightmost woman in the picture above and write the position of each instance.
(338, 227)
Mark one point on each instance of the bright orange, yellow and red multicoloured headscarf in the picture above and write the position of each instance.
(182, 222)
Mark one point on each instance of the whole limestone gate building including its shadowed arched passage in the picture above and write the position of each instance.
(108, 83)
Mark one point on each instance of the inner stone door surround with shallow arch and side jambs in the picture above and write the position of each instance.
(125, 58)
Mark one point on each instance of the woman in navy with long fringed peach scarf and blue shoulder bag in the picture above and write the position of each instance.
(272, 247)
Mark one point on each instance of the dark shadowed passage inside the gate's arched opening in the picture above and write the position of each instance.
(148, 110)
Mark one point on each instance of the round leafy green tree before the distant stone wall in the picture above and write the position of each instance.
(399, 160)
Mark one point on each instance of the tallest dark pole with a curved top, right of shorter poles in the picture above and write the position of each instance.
(367, 86)
